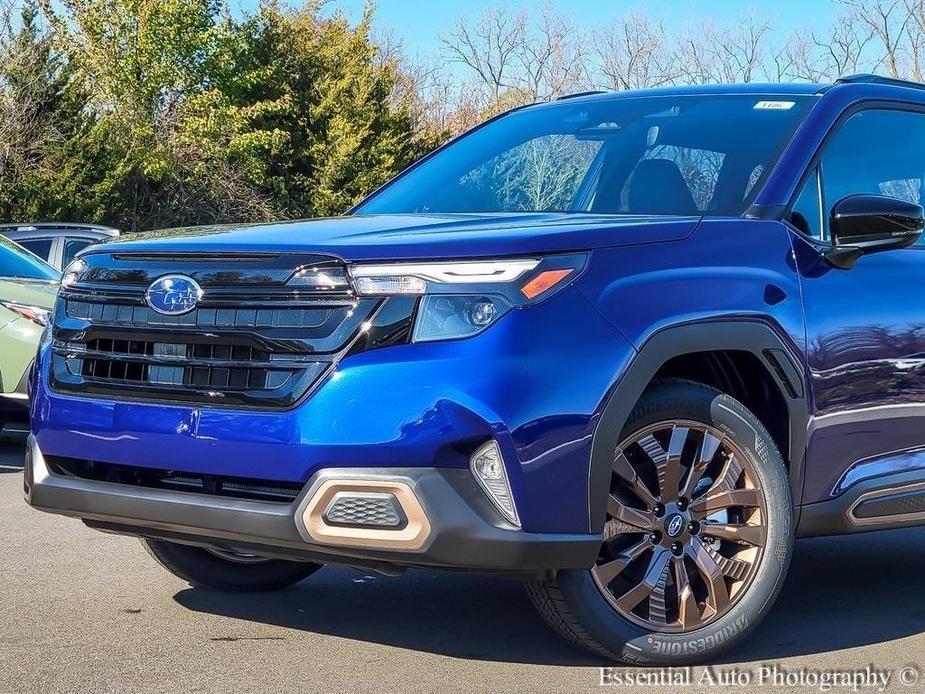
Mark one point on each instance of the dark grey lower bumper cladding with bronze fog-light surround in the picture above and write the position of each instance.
(464, 532)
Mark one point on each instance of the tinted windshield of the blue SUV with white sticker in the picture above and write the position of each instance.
(688, 155)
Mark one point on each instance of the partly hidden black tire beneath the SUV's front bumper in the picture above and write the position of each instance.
(202, 568)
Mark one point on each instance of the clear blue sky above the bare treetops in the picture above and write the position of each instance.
(418, 23)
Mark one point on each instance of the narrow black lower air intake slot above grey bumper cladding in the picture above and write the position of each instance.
(153, 478)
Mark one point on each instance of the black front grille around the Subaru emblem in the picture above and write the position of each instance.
(251, 341)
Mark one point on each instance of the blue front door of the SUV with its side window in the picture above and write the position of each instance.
(865, 326)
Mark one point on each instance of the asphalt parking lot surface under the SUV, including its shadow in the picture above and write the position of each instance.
(81, 611)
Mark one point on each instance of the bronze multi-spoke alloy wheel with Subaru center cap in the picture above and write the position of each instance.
(686, 527)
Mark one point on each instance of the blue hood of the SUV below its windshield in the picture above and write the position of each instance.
(383, 237)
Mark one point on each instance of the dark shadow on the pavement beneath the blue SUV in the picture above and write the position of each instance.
(841, 593)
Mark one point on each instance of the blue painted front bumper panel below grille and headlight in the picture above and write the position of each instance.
(533, 386)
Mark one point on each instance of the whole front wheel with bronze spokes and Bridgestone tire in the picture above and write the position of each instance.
(698, 536)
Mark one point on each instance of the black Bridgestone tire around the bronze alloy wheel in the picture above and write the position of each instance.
(574, 605)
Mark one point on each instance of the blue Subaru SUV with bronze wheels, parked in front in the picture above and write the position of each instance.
(623, 346)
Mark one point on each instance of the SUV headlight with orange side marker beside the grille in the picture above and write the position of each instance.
(461, 299)
